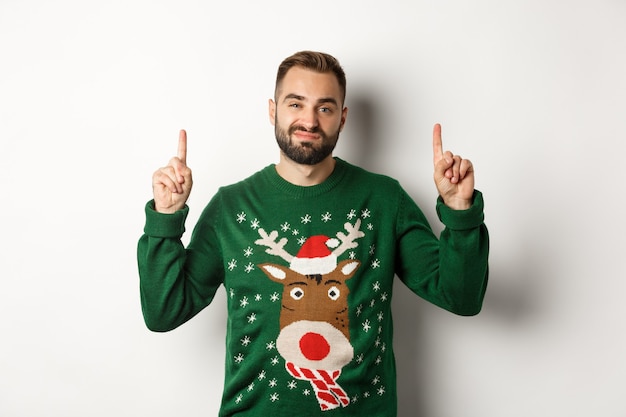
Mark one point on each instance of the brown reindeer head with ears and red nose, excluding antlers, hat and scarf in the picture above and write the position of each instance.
(314, 316)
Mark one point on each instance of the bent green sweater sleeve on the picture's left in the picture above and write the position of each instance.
(176, 283)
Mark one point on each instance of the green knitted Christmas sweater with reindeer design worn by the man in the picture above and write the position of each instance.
(309, 274)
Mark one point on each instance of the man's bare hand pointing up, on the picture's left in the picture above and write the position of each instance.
(171, 184)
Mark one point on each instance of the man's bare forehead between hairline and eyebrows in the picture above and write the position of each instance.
(309, 84)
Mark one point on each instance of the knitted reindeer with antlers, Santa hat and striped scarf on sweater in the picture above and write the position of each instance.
(314, 336)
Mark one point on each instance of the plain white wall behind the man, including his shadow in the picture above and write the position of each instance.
(92, 95)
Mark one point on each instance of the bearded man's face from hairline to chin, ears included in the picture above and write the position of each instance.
(308, 115)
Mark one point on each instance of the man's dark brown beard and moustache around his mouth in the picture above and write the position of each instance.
(305, 153)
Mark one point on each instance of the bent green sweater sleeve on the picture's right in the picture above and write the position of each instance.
(452, 271)
